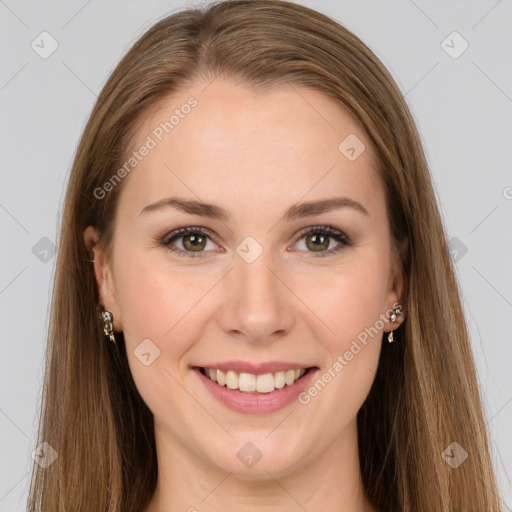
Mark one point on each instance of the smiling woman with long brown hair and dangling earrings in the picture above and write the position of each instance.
(254, 303)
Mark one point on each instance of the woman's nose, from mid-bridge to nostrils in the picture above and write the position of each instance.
(258, 302)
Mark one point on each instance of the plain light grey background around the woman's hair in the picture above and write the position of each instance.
(462, 104)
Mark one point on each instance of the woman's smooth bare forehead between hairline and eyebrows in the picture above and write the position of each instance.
(214, 141)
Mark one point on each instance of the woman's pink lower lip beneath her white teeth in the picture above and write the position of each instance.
(257, 403)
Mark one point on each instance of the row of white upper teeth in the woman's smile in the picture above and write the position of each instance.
(265, 383)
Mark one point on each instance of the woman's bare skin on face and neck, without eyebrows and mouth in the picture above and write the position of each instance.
(255, 156)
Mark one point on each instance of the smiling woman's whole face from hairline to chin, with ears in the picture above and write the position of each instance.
(252, 172)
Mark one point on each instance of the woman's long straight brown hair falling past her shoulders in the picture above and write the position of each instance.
(425, 395)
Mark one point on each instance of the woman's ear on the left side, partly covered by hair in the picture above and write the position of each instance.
(103, 276)
